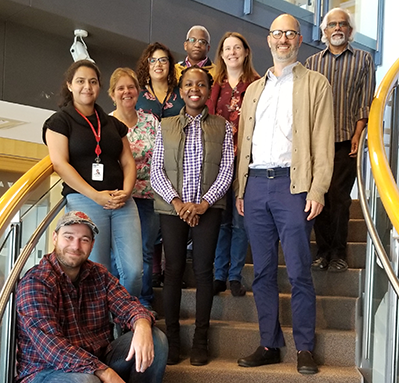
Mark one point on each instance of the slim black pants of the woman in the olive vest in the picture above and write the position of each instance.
(205, 235)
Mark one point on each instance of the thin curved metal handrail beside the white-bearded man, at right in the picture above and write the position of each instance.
(380, 250)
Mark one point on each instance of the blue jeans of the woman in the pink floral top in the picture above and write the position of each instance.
(150, 223)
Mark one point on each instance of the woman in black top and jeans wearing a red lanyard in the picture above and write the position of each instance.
(91, 153)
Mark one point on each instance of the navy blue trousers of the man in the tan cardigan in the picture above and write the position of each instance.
(271, 214)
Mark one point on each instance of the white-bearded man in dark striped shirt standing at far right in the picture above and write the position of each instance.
(351, 73)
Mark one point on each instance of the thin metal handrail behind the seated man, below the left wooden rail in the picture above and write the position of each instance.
(13, 277)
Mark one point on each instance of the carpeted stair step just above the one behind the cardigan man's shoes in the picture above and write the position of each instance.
(229, 308)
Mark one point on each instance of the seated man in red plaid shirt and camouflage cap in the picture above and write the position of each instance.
(64, 306)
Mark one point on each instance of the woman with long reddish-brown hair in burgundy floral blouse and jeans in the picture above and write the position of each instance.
(234, 73)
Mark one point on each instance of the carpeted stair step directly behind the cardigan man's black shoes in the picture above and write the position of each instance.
(233, 340)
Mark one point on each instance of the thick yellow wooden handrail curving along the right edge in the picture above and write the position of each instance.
(386, 184)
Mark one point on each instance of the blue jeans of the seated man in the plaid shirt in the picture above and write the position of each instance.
(115, 359)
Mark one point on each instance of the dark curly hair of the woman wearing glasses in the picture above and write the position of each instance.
(142, 68)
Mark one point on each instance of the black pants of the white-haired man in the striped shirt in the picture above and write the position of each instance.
(331, 226)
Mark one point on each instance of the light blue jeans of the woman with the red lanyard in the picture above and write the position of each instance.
(118, 246)
